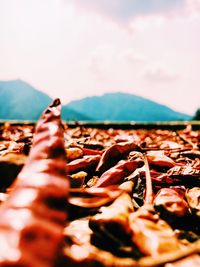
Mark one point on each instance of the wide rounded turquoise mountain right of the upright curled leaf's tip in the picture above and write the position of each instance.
(125, 107)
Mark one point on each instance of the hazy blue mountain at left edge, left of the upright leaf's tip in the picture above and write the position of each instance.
(20, 101)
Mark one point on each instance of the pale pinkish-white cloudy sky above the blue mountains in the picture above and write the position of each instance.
(77, 48)
